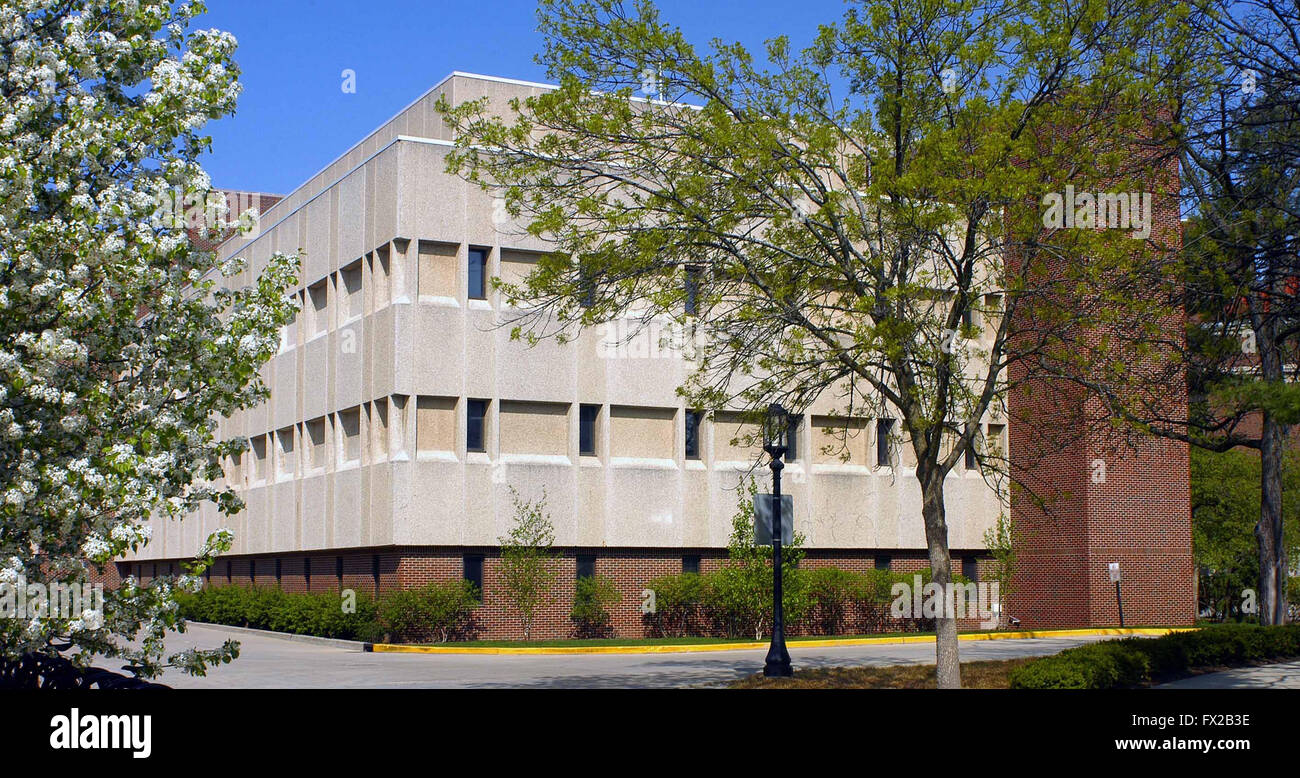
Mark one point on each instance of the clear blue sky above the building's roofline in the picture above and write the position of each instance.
(294, 118)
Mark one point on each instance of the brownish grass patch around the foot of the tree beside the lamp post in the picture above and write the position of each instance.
(989, 675)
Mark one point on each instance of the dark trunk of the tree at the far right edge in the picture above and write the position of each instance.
(1268, 531)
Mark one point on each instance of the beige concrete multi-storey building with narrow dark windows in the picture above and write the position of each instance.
(402, 416)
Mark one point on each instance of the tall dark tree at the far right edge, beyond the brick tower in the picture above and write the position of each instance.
(1234, 129)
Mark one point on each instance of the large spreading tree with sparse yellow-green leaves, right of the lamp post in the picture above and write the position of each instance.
(837, 223)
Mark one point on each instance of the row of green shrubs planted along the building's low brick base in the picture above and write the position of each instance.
(734, 602)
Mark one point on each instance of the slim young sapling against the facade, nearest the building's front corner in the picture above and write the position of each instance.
(528, 567)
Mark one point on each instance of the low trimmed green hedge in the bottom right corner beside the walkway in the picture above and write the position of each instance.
(1138, 662)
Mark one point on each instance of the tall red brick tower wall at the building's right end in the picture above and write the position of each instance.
(1068, 525)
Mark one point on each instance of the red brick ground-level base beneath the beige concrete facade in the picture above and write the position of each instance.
(385, 569)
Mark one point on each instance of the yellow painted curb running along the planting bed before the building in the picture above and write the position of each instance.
(792, 645)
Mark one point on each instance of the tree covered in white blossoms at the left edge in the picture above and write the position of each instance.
(120, 343)
